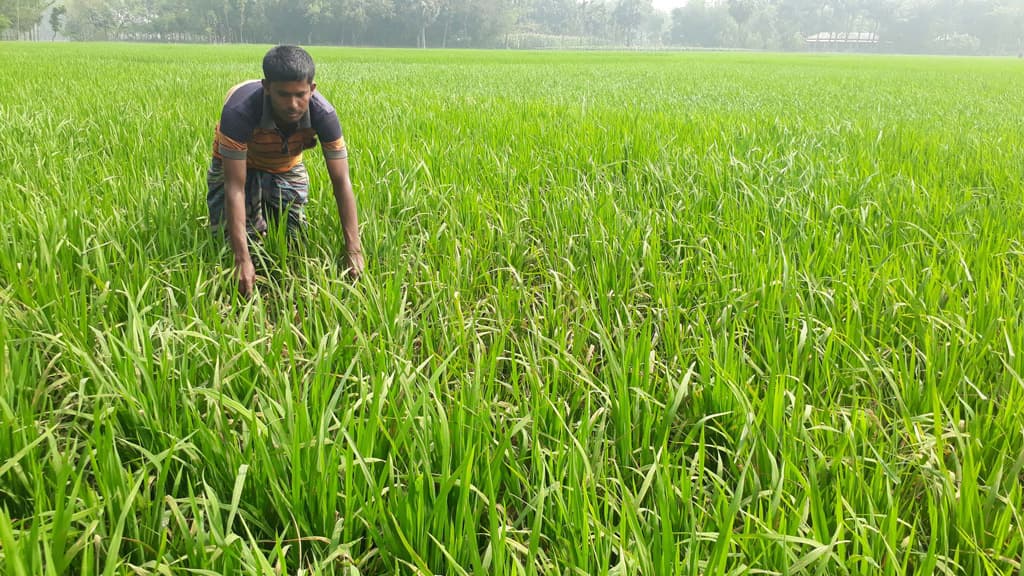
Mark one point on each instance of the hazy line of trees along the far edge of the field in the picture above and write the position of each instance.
(985, 27)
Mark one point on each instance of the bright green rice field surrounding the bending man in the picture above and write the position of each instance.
(623, 314)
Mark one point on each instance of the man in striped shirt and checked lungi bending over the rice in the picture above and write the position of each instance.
(258, 174)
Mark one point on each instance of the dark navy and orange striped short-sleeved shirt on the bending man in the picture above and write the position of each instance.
(247, 132)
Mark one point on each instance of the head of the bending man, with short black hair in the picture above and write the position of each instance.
(288, 79)
